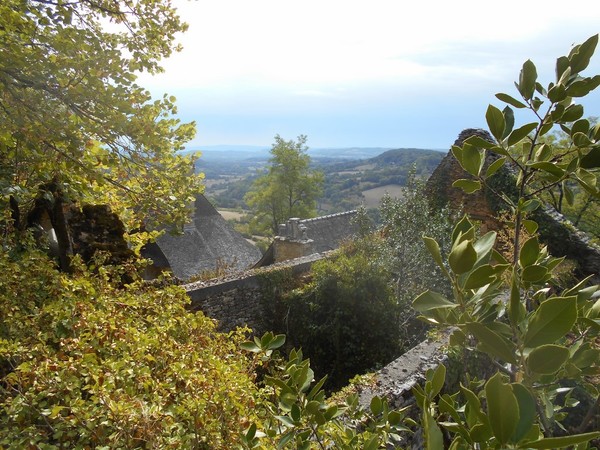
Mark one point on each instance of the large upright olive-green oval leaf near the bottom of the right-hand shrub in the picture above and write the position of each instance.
(503, 408)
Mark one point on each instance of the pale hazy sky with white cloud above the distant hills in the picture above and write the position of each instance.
(372, 73)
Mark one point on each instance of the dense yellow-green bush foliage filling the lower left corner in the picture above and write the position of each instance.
(88, 364)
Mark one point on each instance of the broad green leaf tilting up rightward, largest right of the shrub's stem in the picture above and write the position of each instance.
(552, 320)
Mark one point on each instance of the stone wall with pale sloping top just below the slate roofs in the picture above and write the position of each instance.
(241, 301)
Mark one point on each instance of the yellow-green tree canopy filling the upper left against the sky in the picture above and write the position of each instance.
(72, 115)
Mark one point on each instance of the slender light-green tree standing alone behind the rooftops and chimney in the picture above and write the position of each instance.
(290, 187)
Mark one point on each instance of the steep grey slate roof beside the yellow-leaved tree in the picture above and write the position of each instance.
(207, 242)
